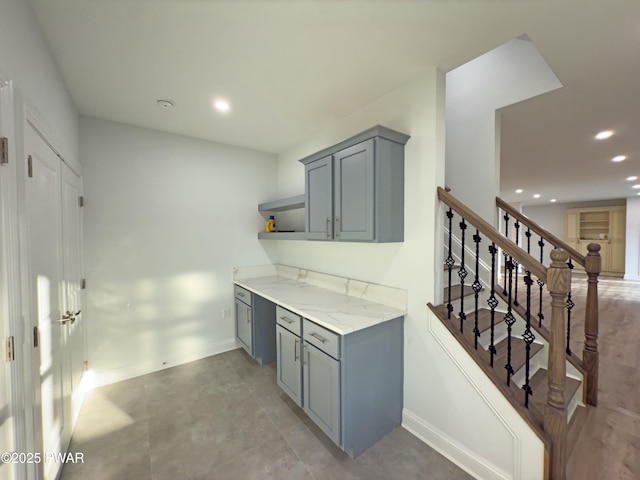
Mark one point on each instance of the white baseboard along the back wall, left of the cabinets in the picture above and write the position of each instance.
(98, 379)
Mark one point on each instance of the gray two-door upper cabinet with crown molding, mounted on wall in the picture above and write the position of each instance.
(355, 189)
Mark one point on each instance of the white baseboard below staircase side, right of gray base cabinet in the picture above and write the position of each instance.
(468, 461)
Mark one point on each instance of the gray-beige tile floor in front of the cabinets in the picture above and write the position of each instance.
(224, 417)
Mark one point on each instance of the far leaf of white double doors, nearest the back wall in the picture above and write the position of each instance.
(72, 273)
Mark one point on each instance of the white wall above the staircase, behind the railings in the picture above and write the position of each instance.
(512, 72)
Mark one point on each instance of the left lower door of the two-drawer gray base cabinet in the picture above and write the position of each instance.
(289, 373)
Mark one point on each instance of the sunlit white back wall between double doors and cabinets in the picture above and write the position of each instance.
(166, 218)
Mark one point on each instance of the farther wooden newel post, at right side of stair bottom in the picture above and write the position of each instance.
(592, 265)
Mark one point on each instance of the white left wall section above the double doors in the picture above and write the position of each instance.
(27, 60)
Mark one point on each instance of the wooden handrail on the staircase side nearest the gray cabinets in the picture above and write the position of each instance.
(521, 256)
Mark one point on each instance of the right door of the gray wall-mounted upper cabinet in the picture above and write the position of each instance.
(354, 192)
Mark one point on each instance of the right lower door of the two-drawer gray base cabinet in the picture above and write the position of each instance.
(322, 391)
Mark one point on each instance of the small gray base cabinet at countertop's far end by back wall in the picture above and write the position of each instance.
(255, 322)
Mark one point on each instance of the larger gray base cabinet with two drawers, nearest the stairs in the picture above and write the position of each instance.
(351, 385)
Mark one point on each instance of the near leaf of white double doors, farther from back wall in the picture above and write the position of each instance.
(44, 224)
